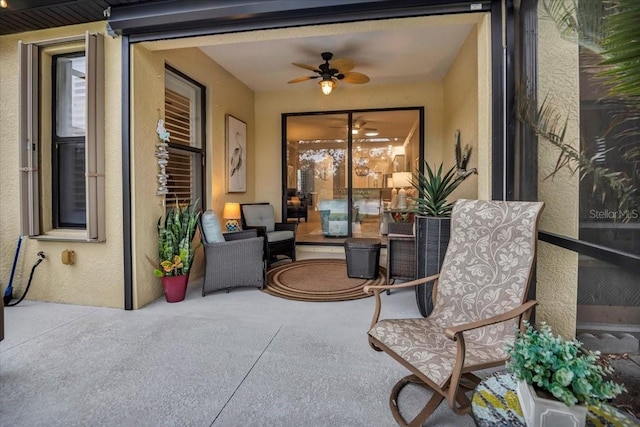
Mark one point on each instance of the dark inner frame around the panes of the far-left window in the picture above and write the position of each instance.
(55, 140)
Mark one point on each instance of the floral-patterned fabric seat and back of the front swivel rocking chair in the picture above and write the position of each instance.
(484, 273)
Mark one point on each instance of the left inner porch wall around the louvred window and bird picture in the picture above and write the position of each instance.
(225, 95)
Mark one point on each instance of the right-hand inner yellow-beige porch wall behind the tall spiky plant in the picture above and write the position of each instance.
(461, 112)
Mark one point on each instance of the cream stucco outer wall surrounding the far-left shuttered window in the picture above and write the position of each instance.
(96, 277)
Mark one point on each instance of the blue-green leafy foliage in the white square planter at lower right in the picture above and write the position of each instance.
(570, 373)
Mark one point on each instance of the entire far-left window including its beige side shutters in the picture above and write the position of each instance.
(62, 138)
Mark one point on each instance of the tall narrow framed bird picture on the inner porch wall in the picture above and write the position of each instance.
(236, 155)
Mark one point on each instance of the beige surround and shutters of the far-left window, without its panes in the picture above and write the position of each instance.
(33, 154)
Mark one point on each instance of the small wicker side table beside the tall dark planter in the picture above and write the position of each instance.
(401, 252)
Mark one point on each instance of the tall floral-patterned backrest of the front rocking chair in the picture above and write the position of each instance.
(487, 267)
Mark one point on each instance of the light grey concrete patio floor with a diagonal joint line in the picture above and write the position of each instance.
(242, 358)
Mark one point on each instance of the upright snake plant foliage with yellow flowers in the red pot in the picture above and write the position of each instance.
(175, 237)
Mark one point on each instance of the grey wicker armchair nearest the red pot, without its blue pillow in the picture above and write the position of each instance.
(233, 263)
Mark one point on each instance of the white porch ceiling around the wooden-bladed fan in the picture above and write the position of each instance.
(387, 56)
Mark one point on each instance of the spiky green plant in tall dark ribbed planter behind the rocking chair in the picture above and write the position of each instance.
(433, 219)
